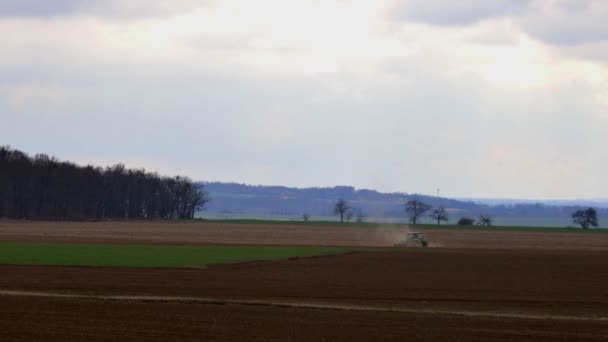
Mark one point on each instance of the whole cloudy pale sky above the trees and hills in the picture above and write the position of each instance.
(480, 98)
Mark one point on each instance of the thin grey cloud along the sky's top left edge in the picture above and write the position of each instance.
(105, 8)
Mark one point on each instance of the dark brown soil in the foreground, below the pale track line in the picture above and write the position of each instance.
(59, 320)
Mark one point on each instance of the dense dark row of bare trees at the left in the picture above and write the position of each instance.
(42, 187)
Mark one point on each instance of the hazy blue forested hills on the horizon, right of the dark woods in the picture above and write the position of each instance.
(233, 198)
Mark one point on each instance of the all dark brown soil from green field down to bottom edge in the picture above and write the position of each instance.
(491, 285)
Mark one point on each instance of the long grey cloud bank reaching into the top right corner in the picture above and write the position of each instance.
(559, 22)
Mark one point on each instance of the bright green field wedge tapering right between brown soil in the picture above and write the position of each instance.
(68, 254)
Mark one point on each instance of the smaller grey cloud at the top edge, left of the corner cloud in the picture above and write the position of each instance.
(454, 13)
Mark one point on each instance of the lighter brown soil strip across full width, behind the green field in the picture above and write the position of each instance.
(154, 232)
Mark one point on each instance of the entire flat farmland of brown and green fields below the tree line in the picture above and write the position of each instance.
(501, 285)
